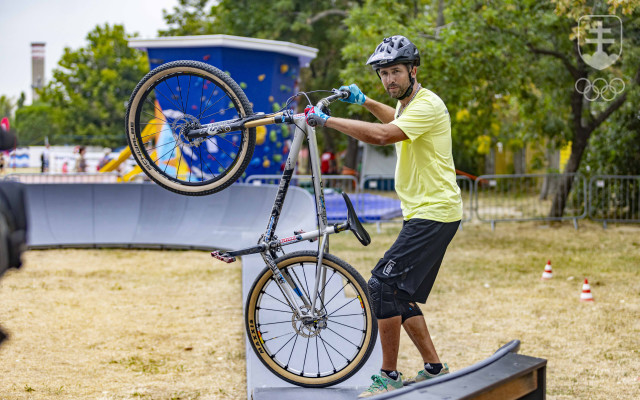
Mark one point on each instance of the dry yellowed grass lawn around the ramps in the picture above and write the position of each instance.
(121, 324)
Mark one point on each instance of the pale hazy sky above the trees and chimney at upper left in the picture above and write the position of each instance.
(60, 24)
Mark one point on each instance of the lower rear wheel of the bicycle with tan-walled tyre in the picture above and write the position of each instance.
(317, 353)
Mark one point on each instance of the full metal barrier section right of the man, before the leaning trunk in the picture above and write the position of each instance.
(529, 197)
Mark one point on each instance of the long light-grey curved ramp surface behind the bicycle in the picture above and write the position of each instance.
(147, 216)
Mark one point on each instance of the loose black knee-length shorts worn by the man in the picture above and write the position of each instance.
(413, 261)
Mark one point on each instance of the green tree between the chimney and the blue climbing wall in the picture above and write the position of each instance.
(89, 90)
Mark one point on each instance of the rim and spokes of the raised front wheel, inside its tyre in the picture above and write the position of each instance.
(171, 103)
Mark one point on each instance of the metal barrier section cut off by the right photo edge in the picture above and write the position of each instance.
(614, 198)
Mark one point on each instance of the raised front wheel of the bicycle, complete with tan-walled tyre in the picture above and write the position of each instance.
(174, 98)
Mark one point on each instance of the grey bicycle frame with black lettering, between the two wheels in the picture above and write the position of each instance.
(269, 243)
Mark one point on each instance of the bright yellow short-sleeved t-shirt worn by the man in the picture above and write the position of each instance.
(425, 178)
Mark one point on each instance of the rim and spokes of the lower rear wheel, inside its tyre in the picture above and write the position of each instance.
(314, 354)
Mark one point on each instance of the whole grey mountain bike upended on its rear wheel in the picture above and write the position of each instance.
(308, 316)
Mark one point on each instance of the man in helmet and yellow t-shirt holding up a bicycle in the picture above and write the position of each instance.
(425, 181)
